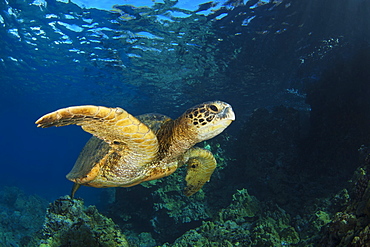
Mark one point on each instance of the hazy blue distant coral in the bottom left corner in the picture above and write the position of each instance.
(21, 217)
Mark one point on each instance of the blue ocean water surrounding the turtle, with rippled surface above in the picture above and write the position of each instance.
(166, 56)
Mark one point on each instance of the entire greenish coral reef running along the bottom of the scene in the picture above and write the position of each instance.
(246, 221)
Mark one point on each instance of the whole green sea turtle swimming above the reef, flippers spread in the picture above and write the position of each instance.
(127, 150)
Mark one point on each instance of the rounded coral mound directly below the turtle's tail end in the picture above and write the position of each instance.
(69, 223)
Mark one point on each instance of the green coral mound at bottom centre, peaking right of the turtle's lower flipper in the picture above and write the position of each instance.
(243, 223)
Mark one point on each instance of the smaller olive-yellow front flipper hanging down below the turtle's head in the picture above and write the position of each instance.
(200, 166)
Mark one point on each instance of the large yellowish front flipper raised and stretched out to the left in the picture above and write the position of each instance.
(115, 126)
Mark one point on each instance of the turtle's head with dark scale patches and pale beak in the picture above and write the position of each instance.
(209, 119)
